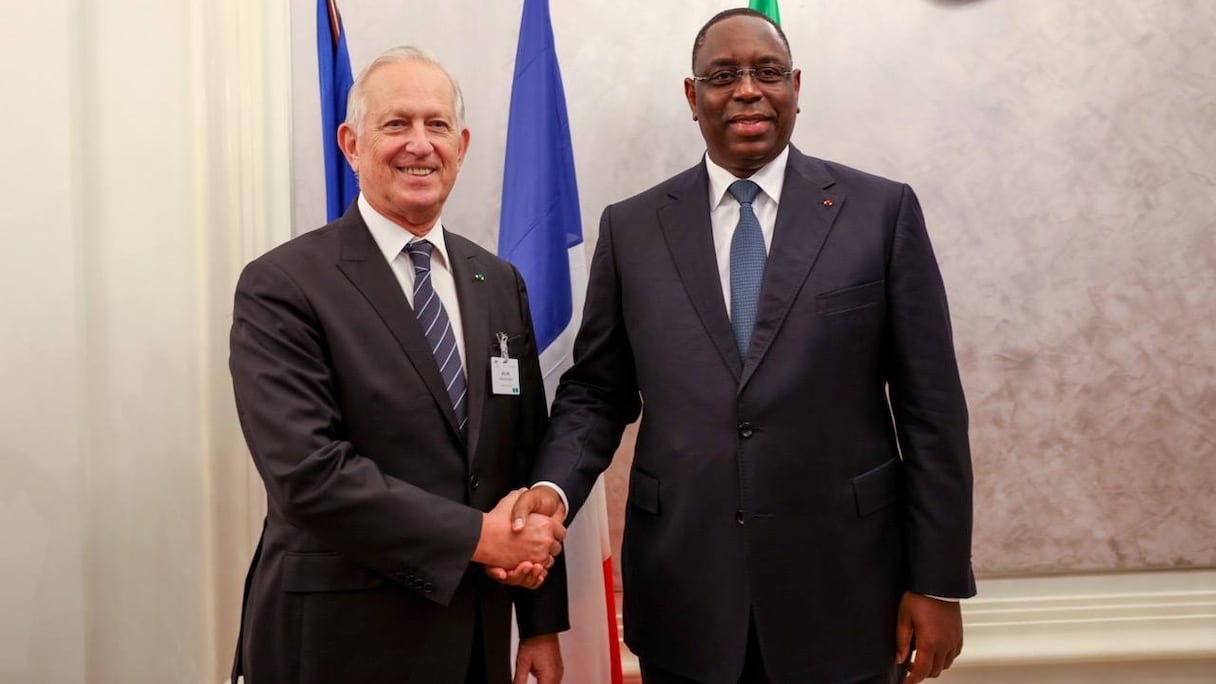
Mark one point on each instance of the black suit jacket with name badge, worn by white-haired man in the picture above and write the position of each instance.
(375, 500)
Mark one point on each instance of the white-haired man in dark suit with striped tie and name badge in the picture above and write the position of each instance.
(362, 358)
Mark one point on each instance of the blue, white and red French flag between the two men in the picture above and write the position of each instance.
(541, 232)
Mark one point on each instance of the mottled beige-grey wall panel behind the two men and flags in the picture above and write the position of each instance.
(1066, 158)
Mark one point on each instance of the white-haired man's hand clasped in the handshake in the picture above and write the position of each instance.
(504, 545)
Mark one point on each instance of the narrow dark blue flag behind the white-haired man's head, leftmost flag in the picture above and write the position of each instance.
(334, 68)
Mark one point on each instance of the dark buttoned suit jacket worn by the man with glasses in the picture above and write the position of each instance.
(807, 486)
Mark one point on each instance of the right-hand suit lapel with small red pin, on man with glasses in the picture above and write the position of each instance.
(809, 206)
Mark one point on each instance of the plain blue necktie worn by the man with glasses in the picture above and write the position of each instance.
(747, 266)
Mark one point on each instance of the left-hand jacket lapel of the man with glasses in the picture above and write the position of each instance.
(686, 228)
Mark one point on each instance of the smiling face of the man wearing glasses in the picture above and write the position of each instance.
(748, 124)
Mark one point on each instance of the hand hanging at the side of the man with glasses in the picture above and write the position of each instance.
(937, 627)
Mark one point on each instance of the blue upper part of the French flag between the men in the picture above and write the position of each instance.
(541, 217)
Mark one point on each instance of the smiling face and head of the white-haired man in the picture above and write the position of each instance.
(410, 145)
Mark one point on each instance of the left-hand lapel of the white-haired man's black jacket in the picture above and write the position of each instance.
(365, 267)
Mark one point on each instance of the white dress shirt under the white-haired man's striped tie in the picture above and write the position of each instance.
(392, 240)
